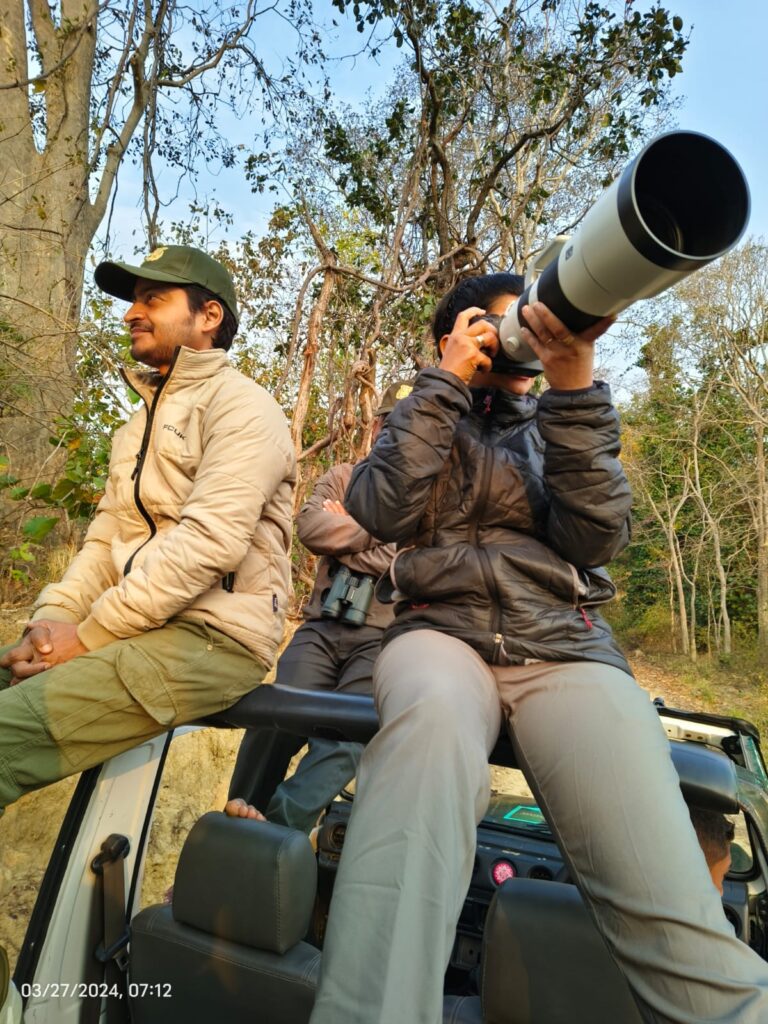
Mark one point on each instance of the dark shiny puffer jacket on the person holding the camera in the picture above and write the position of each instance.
(504, 508)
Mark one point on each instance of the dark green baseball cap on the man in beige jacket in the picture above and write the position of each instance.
(173, 266)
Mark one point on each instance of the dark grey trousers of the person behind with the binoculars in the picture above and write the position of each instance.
(323, 655)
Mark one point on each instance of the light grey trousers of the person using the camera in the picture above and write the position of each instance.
(598, 759)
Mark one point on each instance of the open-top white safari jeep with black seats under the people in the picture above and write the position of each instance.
(241, 935)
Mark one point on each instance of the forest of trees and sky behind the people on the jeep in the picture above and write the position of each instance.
(345, 211)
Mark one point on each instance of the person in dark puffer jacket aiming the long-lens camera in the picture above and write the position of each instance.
(504, 508)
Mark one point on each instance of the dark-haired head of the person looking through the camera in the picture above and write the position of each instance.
(494, 293)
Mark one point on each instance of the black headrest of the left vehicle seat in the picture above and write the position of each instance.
(251, 883)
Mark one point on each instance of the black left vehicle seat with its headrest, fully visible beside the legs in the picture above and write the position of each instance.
(230, 948)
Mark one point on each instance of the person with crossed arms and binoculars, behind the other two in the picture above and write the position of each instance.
(334, 649)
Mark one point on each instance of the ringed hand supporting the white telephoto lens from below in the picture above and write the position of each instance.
(568, 359)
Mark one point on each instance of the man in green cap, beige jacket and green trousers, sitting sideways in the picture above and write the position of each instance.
(175, 607)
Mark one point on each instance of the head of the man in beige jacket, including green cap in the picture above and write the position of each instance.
(180, 296)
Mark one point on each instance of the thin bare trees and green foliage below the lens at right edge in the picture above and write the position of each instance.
(695, 445)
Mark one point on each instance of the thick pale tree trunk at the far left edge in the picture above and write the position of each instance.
(48, 222)
